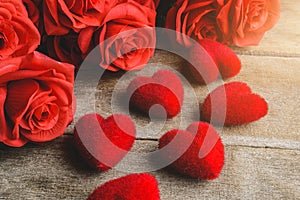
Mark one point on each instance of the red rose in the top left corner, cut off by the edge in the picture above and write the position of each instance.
(18, 35)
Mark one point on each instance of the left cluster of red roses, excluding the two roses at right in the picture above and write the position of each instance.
(36, 91)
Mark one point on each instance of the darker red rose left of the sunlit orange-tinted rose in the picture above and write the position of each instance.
(195, 18)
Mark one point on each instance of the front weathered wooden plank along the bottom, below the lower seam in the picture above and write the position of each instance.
(54, 171)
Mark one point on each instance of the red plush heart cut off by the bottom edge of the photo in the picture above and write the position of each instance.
(130, 187)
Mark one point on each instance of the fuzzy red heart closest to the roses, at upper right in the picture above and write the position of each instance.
(218, 59)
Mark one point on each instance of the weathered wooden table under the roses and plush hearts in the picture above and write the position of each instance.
(262, 158)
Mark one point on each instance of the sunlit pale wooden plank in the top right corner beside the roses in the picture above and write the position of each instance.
(284, 38)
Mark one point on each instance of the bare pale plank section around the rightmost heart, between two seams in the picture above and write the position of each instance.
(278, 81)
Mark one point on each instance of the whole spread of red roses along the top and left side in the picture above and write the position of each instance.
(43, 42)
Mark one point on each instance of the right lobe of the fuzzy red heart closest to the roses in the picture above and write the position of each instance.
(227, 61)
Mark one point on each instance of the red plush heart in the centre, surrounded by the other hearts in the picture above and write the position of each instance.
(163, 88)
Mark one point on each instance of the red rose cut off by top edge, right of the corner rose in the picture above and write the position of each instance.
(60, 16)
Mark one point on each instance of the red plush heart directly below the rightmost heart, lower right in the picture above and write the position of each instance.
(202, 159)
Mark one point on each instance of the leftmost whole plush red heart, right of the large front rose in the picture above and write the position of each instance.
(104, 142)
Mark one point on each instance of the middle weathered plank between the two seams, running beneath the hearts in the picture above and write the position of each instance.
(276, 79)
